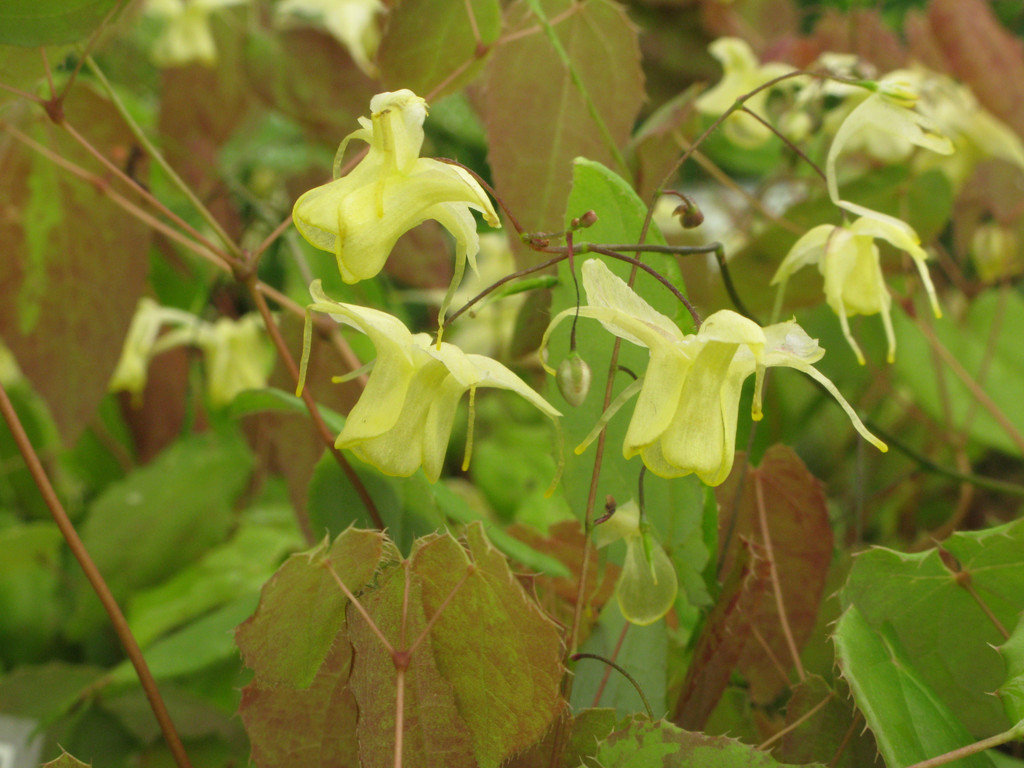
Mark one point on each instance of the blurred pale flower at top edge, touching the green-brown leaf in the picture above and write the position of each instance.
(353, 23)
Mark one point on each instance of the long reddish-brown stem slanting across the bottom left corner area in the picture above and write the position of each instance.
(96, 579)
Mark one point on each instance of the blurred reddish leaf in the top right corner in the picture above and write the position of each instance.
(984, 55)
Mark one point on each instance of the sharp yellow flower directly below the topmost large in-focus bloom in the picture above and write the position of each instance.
(405, 416)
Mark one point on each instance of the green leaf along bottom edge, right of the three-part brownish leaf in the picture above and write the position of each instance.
(639, 743)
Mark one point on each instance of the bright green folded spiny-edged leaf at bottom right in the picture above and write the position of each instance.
(910, 721)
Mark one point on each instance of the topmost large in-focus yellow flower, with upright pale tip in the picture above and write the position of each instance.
(360, 217)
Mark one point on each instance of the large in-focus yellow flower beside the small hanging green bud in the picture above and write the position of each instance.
(686, 416)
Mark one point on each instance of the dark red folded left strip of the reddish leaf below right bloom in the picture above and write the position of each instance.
(727, 634)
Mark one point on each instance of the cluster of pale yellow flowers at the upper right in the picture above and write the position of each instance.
(890, 120)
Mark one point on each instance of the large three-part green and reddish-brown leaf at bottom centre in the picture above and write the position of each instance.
(490, 651)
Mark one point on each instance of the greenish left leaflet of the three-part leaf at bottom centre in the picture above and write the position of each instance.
(303, 609)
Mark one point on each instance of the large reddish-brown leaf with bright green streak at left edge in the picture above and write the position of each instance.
(74, 264)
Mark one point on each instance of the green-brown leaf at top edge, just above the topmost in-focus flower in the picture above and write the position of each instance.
(429, 41)
